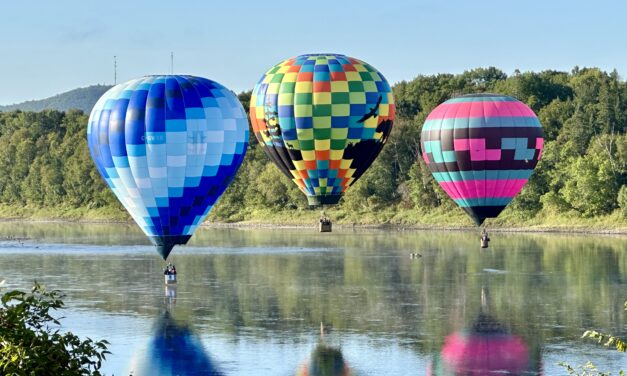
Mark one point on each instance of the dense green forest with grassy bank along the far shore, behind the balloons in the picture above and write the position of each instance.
(46, 170)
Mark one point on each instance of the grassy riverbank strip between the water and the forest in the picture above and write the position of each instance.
(392, 219)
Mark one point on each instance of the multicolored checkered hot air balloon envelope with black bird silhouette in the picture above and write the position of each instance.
(322, 119)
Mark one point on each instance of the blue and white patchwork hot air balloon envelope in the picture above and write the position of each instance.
(168, 146)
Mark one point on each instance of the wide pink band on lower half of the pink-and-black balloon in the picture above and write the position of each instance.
(483, 188)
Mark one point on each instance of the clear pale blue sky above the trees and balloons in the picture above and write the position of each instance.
(49, 47)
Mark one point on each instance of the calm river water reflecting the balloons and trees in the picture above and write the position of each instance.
(251, 301)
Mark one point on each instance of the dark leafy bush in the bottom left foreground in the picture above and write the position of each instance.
(31, 343)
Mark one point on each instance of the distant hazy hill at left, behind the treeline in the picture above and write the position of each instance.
(82, 98)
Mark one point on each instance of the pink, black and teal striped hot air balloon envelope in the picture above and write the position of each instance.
(482, 149)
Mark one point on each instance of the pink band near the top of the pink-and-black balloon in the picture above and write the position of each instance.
(480, 109)
